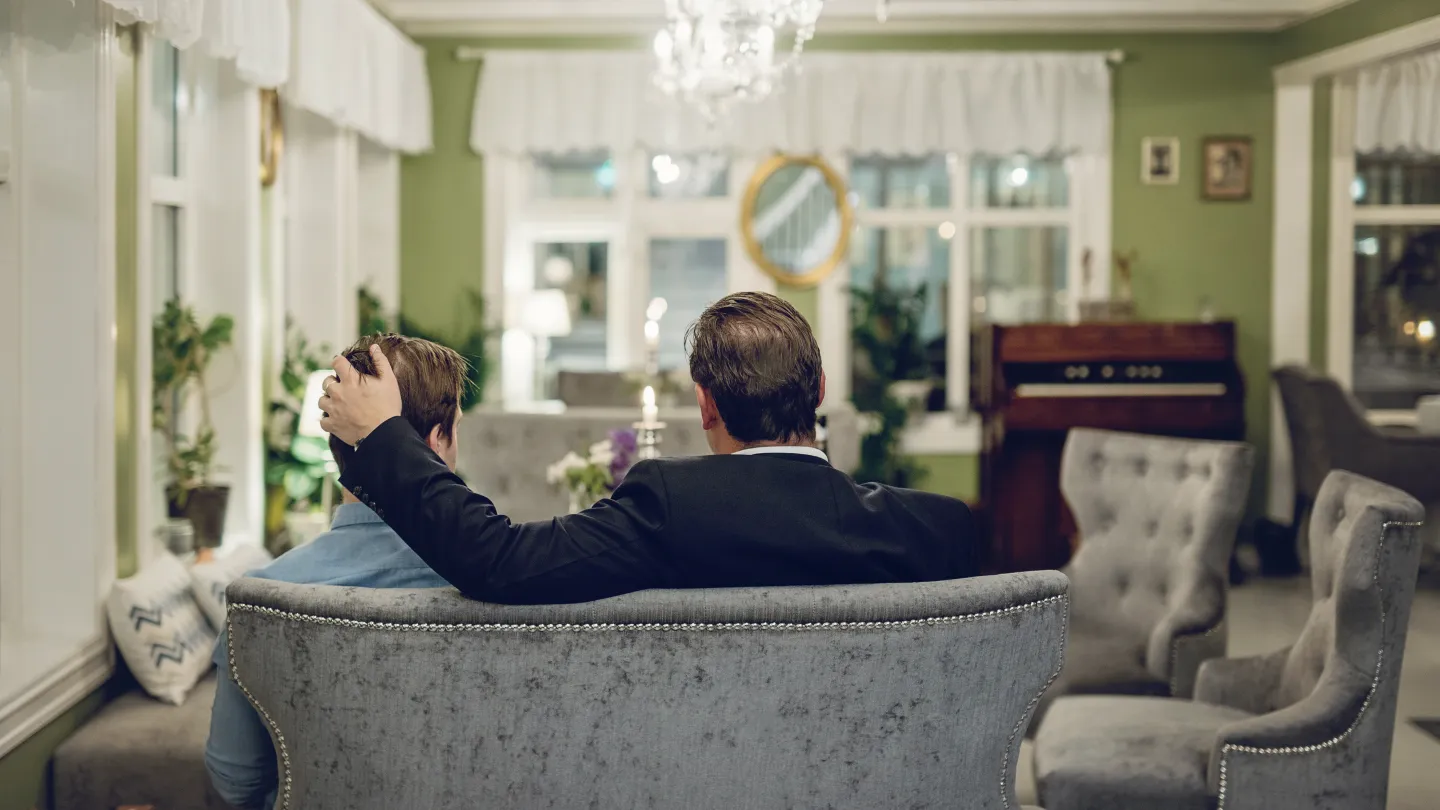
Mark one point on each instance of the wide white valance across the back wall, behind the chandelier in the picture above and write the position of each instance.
(842, 103)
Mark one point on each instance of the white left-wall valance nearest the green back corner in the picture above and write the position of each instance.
(355, 68)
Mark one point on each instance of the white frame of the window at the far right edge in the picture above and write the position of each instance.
(1346, 217)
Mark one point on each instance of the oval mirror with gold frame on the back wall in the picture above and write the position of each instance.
(796, 220)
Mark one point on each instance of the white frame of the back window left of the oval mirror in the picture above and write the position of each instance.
(629, 220)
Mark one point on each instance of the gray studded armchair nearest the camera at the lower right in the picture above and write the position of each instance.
(1308, 727)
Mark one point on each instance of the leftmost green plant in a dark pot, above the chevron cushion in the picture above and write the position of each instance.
(184, 351)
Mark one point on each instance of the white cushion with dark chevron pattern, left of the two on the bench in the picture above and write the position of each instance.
(161, 631)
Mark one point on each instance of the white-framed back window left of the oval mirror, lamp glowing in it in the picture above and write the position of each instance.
(590, 240)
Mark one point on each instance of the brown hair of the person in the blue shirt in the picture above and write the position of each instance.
(431, 380)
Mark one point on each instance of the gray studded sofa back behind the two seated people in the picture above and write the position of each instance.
(855, 697)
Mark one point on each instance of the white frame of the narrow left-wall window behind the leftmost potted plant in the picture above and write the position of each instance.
(158, 190)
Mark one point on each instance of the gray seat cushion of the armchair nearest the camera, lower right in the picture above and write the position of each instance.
(1134, 753)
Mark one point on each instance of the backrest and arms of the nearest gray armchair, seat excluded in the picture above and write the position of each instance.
(1326, 708)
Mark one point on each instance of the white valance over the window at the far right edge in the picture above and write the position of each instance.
(1398, 106)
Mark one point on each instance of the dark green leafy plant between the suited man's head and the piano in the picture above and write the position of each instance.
(892, 375)
